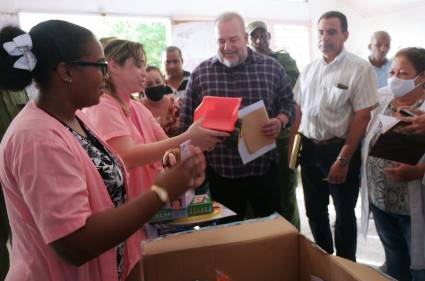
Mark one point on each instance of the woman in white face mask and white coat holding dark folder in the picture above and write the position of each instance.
(392, 190)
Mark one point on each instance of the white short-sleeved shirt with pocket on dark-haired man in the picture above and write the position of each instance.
(330, 93)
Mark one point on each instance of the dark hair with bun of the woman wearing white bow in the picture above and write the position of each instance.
(54, 41)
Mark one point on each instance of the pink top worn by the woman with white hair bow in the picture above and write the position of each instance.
(51, 188)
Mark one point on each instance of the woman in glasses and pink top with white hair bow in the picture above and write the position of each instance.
(66, 192)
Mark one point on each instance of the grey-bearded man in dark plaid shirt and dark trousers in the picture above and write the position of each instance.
(237, 71)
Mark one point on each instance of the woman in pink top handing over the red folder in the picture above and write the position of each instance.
(128, 126)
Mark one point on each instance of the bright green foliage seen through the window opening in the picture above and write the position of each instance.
(151, 34)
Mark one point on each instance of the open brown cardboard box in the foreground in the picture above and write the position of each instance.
(269, 249)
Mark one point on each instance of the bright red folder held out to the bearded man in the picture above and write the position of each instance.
(220, 113)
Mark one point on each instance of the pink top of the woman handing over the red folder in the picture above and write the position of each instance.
(111, 122)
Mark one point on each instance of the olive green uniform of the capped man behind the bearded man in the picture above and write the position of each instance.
(287, 177)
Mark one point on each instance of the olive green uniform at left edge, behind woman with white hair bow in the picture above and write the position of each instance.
(10, 105)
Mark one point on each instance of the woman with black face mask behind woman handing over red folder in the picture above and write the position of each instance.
(164, 107)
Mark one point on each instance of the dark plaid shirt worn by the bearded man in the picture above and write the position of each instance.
(259, 77)
